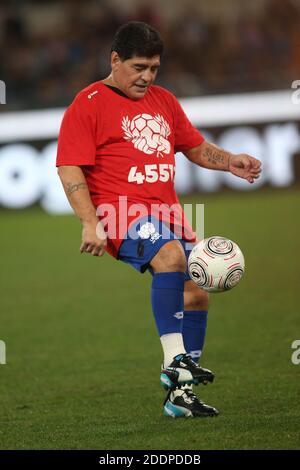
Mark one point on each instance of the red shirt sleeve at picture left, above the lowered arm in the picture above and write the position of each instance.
(77, 136)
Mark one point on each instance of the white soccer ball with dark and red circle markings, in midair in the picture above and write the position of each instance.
(216, 264)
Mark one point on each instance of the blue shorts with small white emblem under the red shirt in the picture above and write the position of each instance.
(143, 241)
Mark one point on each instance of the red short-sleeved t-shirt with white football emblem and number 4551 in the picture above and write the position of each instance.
(126, 150)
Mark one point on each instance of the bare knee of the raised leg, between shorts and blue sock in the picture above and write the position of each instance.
(170, 258)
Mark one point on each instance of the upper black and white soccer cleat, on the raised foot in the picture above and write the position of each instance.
(183, 370)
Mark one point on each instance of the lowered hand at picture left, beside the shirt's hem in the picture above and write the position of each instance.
(94, 238)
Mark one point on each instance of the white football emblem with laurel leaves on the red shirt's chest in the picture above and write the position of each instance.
(147, 133)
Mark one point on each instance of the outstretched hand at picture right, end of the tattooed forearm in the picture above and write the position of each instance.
(244, 166)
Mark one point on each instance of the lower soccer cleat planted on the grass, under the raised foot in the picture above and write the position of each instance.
(185, 404)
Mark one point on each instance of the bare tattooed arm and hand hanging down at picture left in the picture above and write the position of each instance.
(77, 192)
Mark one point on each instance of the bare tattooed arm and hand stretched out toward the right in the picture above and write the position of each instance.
(213, 157)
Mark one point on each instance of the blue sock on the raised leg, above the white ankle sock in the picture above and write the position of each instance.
(167, 302)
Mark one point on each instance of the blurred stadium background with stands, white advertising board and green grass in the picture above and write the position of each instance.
(234, 65)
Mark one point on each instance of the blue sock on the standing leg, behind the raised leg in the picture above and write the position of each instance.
(194, 329)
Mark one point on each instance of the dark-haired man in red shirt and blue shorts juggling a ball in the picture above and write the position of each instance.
(117, 141)
